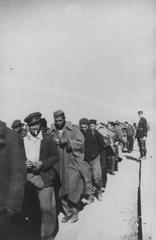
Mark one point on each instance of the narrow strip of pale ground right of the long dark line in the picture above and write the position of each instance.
(148, 191)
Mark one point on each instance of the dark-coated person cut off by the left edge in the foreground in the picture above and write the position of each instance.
(12, 178)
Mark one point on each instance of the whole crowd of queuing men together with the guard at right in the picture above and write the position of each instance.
(45, 171)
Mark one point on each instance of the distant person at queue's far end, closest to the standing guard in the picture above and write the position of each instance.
(130, 132)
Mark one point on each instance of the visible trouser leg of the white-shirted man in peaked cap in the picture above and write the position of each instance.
(49, 221)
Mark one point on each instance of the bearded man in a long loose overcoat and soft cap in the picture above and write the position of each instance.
(70, 142)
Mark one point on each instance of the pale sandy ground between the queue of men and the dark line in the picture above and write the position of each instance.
(115, 217)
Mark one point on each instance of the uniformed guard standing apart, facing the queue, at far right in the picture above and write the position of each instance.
(141, 135)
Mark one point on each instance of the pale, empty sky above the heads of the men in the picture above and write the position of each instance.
(92, 59)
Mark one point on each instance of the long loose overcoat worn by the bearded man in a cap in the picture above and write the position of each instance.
(71, 157)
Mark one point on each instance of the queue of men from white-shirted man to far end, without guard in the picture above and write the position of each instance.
(67, 166)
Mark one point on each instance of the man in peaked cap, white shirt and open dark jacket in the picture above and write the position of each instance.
(42, 155)
